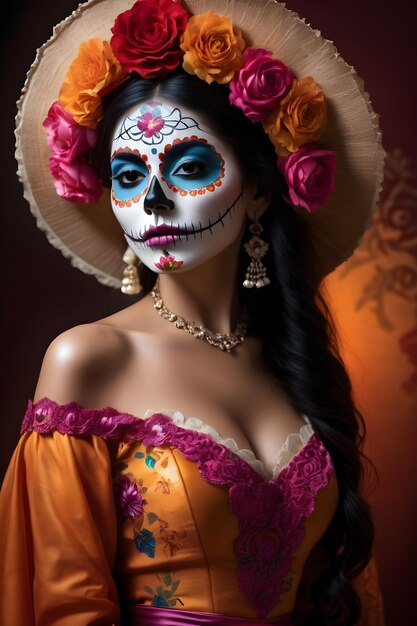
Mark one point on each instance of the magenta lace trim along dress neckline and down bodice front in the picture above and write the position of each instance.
(270, 513)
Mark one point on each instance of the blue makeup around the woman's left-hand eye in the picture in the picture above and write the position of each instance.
(130, 176)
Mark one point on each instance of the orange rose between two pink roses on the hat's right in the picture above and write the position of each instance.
(300, 118)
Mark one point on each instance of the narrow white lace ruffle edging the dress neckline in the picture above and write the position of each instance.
(291, 446)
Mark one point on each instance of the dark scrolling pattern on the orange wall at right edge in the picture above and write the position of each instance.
(389, 249)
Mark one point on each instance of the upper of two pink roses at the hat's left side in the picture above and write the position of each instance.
(66, 138)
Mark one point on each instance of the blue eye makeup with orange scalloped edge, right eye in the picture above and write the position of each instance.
(191, 165)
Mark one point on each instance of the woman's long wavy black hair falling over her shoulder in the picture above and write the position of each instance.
(298, 335)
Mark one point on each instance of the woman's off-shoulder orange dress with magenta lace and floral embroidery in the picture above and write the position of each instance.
(101, 509)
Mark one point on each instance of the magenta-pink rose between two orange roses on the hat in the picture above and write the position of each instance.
(260, 83)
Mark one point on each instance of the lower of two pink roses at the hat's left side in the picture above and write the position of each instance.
(75, 180)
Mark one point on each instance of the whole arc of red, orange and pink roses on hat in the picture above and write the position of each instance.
(151, 39)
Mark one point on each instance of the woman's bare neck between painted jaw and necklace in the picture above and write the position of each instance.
(207, 294)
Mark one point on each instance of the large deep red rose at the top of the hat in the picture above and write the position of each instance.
(146, 38)
